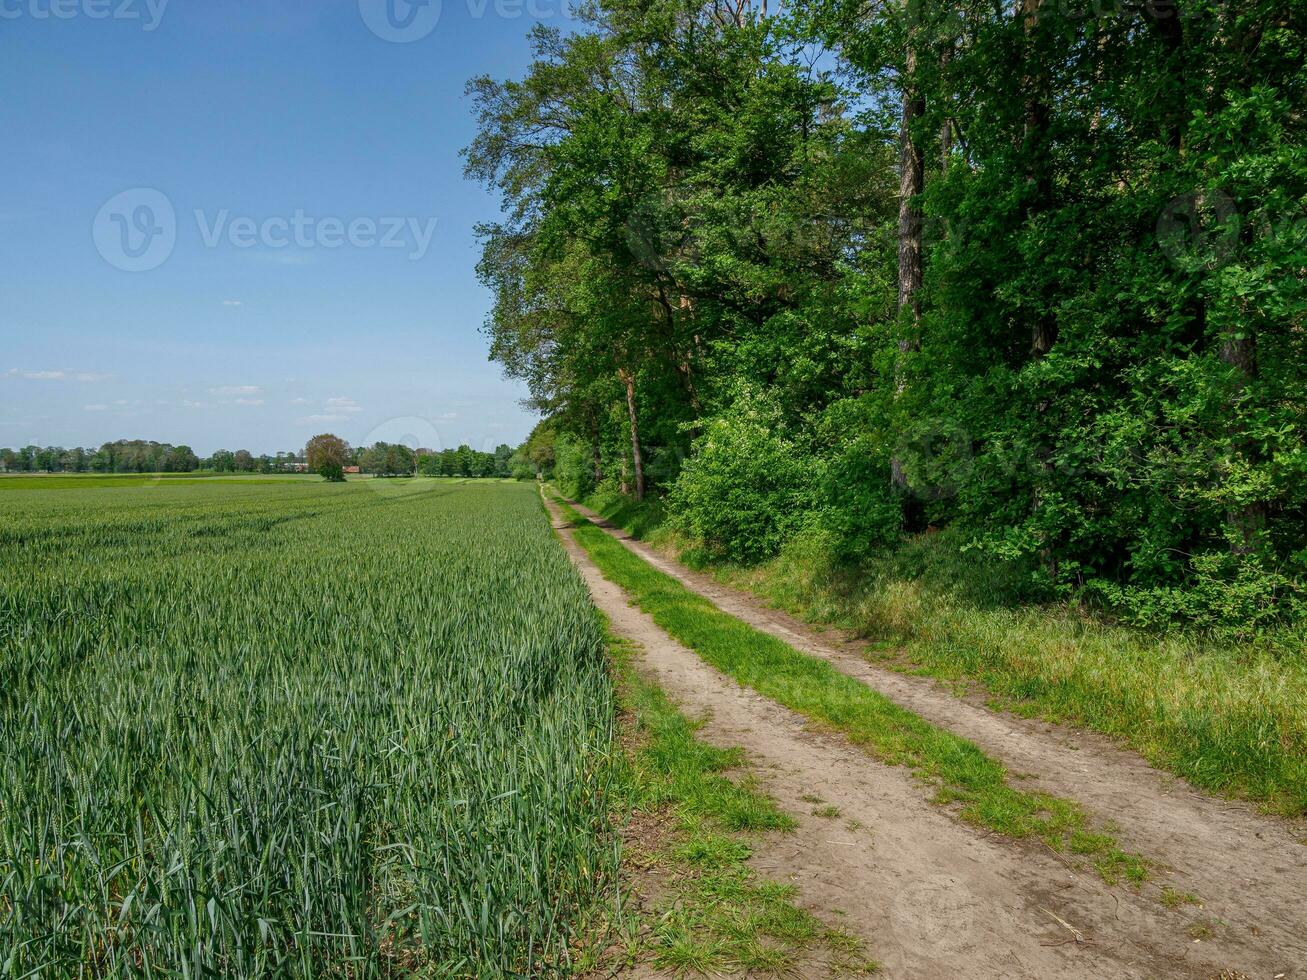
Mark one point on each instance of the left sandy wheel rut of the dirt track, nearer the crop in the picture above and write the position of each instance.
(930, 896)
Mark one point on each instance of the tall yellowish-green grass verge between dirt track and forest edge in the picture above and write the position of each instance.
(1231, 718)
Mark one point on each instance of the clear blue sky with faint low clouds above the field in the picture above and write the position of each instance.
(327, 283)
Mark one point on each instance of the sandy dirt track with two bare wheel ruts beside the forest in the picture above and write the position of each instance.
(938, 900)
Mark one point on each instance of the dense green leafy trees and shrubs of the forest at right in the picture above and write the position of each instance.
(1036, 272)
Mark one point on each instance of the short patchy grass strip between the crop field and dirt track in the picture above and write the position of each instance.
(703, 910)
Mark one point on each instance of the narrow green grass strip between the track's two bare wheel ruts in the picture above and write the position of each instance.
(960, 772)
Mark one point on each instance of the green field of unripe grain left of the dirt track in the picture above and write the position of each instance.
(297, 731)
